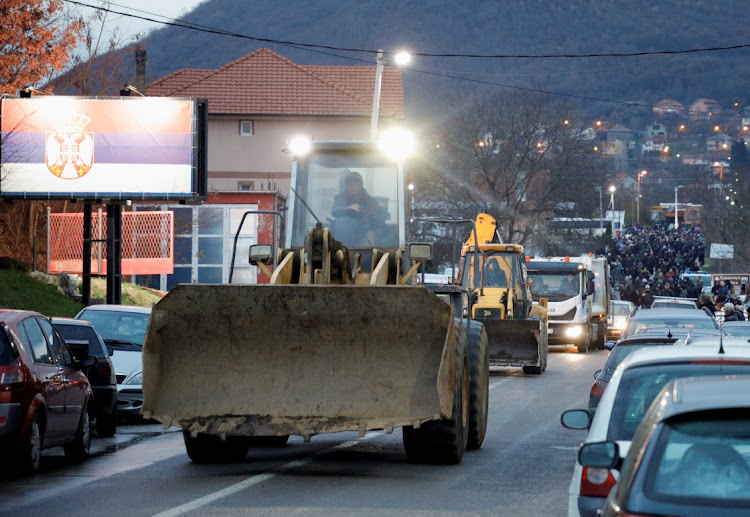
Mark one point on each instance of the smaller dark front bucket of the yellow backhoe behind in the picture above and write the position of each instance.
(513, 342)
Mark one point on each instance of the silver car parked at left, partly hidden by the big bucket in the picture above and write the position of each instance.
(123, 328)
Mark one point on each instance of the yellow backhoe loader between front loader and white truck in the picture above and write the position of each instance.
(516, 327)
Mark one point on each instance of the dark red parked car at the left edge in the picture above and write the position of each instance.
(44, 396)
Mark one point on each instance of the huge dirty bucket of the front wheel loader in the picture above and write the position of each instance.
(271, 360)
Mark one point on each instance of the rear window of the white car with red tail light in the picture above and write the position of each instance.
(641, 384)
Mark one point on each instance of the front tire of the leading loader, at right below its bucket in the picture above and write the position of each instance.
(444, 441)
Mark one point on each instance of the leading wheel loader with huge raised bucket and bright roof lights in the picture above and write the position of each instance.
(342, 339)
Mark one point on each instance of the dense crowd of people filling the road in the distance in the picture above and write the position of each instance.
(649, 262)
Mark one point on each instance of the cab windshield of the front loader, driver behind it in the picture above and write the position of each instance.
(355, 194)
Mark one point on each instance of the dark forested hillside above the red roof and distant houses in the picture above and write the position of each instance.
(495, 27)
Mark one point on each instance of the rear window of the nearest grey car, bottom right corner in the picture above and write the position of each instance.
(703, 459)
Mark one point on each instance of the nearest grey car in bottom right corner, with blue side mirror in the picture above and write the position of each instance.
(689, 456)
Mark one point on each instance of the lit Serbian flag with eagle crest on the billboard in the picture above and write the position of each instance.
(76, 147)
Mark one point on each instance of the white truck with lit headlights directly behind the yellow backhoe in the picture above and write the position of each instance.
(568, 286)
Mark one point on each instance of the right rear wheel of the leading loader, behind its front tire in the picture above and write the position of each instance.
(479, 384)
